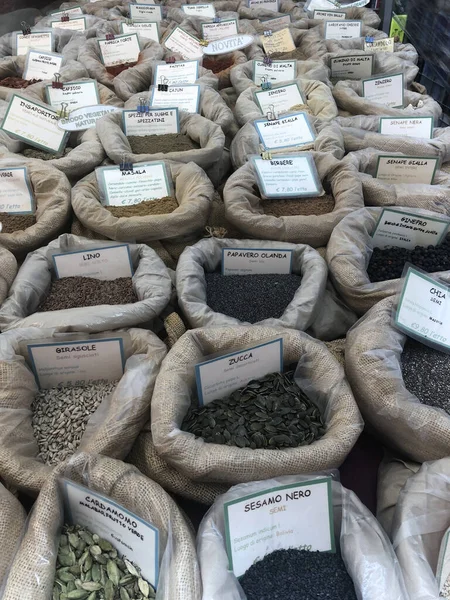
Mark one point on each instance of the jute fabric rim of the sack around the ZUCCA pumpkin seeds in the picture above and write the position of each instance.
(318, 373)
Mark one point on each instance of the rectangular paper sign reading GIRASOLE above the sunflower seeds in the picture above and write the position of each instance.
(78, 362)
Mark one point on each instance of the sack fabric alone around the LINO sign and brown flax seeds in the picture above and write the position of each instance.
(151, 282)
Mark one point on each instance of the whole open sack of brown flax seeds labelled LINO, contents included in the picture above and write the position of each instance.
(86, 303)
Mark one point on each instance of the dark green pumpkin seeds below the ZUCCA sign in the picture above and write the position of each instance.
(271, 413)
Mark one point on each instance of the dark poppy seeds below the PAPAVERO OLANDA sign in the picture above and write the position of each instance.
(250, 298)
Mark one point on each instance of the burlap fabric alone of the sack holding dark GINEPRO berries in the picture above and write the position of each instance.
(348, 254)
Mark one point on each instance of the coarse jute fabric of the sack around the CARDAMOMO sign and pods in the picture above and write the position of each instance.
(32, 571)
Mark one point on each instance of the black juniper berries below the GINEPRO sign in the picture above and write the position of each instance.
(388, 263)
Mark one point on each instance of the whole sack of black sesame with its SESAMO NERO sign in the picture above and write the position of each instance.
(248, 563)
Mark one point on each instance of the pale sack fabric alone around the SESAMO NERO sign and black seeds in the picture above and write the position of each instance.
(366, 550)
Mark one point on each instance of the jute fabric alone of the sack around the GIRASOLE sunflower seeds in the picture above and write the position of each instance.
(112, 428)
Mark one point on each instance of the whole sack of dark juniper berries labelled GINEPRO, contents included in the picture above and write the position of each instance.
(360, 274)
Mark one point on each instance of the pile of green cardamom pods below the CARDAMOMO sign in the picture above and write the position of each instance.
(89, 568)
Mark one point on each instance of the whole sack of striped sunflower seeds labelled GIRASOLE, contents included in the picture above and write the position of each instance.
(37, 433)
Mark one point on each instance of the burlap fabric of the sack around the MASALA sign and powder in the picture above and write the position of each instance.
(193, 191)
